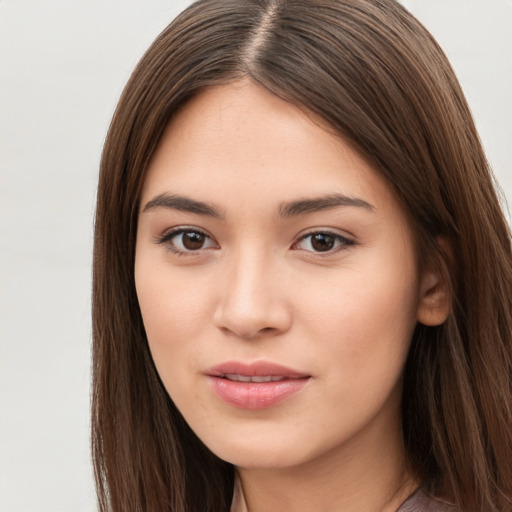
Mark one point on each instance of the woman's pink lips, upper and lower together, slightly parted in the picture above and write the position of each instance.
(255, 395)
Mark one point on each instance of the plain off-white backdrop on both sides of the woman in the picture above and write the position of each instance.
(62, 67)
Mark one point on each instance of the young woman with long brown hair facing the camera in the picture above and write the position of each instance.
(302, 281)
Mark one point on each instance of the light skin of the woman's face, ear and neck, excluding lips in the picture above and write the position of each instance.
(257, 289)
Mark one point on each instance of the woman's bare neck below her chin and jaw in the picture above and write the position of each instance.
(366, 474)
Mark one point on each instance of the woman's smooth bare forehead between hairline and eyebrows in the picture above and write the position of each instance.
(242, 142)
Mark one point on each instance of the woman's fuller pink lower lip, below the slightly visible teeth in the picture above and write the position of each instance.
(256, 395)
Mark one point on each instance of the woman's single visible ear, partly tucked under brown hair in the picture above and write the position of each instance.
(435, 292)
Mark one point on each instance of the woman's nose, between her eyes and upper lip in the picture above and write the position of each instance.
(252, 299)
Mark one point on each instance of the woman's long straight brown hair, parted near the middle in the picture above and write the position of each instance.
(377, 78)
